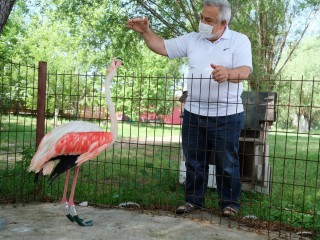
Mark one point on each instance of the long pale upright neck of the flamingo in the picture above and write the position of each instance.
(112, 111)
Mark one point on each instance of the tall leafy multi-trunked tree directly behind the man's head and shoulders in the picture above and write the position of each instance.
(271, 25)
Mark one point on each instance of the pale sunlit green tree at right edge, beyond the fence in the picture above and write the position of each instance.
(300, 87)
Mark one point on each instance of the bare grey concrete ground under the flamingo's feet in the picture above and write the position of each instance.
(47, 221)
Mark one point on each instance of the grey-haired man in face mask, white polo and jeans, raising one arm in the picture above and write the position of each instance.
(219, 59)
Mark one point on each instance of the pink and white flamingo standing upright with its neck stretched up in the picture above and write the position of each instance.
(72, 144)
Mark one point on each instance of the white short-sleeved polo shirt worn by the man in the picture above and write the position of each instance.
(205, 96)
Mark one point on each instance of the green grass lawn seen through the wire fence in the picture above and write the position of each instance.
(147, 172)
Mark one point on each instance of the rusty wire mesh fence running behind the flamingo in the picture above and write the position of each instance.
(278, 146)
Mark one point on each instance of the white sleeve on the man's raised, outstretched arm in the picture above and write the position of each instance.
(177, 47)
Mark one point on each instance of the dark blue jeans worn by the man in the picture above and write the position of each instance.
(201, 137)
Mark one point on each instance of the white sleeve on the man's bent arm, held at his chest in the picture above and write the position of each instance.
(243, 55)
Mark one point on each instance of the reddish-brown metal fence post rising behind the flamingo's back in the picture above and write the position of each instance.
(42, 80)
